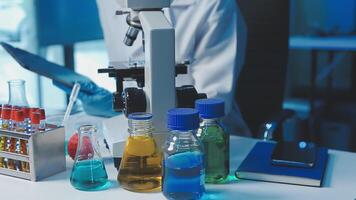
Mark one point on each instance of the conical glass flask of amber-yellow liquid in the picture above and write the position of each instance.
(140, 167)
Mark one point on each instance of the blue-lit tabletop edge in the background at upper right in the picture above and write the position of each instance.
(335, 43)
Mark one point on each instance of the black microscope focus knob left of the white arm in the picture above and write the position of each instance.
(134, 100)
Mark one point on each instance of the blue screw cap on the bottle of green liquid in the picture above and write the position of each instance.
(210, 108)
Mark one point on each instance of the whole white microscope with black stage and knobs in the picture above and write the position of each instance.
(156, 92)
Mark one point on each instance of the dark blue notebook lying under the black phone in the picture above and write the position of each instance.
(257, 166)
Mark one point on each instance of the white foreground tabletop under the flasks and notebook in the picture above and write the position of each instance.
(339, 183)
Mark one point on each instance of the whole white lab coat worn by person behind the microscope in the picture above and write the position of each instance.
(211, 34)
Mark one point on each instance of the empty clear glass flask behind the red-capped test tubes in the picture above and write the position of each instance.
(17, 93)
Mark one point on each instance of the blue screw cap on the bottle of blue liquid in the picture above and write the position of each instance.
(183, 119)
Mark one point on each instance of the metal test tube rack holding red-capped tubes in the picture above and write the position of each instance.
(45, 155)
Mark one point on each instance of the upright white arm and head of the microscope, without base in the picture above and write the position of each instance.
(159, 47)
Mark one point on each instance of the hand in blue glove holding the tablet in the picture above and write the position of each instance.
(95, 100)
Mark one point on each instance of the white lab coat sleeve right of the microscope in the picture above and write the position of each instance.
(214, 69)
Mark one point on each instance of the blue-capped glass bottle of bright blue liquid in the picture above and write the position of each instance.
(183, 164)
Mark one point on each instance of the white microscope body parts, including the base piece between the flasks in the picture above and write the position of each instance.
(159, 69)
